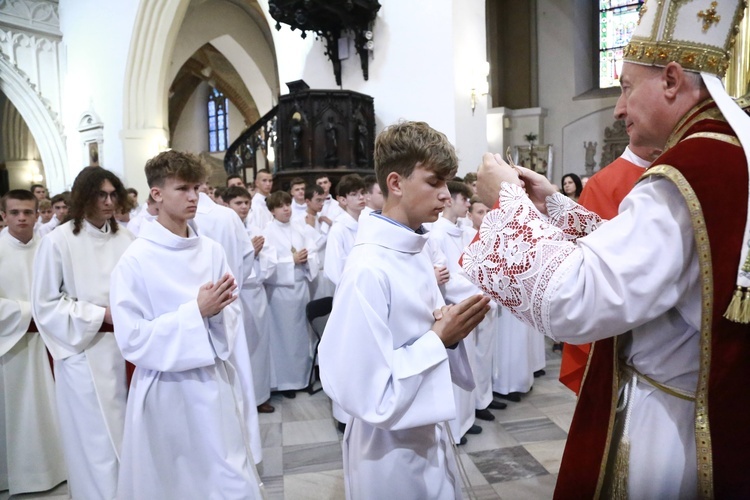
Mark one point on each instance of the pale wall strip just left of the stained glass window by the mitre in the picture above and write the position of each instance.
(562, 68)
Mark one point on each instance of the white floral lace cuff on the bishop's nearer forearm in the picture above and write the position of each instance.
(516, 254)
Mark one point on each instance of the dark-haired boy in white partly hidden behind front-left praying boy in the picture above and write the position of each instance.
(254, 301)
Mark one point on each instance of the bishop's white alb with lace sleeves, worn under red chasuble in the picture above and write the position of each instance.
(637, 272)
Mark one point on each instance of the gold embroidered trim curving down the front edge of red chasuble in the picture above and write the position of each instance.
(702, 425)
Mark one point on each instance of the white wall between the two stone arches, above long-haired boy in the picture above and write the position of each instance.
(97, 41)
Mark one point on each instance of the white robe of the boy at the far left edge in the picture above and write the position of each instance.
(31, 457)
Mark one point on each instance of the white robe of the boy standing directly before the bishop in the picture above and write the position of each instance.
(382, 363)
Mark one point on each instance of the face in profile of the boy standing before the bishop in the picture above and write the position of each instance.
(423, 195)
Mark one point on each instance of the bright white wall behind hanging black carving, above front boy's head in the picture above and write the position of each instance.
(419, 68)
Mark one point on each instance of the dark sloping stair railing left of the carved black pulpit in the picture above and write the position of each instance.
(242, 155)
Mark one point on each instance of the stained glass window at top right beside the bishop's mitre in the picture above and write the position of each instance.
(617, 20)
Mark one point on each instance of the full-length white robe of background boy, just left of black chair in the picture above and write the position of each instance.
(288, 294)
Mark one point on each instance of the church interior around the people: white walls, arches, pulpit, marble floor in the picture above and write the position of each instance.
(301, 87)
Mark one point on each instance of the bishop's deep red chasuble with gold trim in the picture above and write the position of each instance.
(704, 160)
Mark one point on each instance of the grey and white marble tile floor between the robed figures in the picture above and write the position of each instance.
(517, 456)
